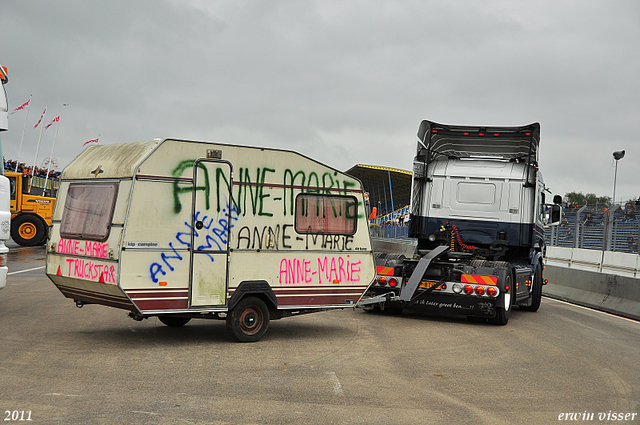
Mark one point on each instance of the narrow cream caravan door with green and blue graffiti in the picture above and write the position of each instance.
(211, 217)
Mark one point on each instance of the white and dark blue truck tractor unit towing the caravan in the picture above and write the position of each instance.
(478, 214)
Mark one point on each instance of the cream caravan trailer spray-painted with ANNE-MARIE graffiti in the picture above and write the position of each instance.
(181, 229)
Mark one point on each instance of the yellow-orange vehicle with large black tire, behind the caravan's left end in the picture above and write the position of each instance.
(31, 210)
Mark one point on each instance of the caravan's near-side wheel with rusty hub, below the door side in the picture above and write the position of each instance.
(248, 320)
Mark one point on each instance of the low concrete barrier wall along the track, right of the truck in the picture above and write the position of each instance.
(605, 280)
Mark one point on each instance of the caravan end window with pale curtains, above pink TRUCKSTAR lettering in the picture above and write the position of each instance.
(88, 211)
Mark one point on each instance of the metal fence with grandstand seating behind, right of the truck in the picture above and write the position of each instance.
(612, 230)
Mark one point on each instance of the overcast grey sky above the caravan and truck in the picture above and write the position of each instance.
(344, 82)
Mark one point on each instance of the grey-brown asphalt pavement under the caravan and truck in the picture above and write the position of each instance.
(63, 365)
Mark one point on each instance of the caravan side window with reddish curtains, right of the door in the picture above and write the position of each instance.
(328, 214)
